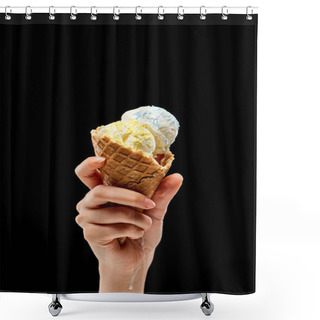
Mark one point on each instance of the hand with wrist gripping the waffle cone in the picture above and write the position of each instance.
(122, 268)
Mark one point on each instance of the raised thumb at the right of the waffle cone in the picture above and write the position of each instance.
(167, 189)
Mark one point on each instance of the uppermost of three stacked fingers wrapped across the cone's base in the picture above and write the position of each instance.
(102, 194)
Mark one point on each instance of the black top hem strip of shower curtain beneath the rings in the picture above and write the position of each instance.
(128, 19)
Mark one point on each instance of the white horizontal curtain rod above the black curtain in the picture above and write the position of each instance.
(130, 10)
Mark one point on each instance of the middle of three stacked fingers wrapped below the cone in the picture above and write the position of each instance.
(112, 215)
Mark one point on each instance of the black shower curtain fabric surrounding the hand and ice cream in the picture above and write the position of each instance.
(62, 78)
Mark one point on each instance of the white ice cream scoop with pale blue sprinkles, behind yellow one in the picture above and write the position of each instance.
(163, 125)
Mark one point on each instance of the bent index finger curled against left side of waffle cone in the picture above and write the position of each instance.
(88, 173)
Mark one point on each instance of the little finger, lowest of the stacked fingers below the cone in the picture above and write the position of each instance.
(101, 235)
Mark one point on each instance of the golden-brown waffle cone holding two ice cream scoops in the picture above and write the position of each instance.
(129, 169)
